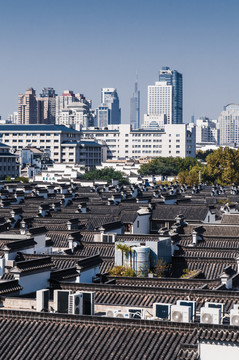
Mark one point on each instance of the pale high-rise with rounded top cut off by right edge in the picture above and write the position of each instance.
(229, 125)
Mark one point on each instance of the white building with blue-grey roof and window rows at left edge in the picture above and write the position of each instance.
(44, 137)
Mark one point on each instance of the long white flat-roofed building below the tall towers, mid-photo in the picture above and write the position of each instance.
(123, 142)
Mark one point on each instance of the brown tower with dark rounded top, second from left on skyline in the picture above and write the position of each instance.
(46, 104)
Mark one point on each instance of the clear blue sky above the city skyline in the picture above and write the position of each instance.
(86, 45)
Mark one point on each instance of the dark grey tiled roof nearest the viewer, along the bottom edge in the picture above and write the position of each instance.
(73, 337)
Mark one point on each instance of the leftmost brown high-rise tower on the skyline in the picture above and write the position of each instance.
(27, 107)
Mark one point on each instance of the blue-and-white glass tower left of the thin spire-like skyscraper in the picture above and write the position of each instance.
(110, 99)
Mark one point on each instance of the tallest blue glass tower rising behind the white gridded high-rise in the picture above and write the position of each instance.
(174, 79)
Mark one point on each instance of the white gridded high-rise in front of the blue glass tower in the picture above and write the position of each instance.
(160, 100)
